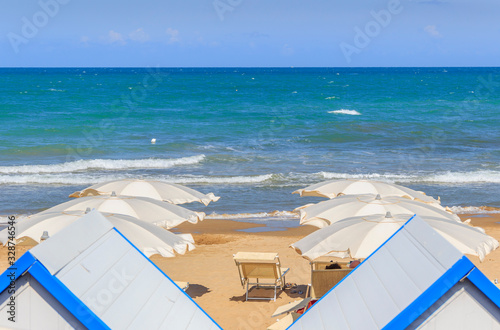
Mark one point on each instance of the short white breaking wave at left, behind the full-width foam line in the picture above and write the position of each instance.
(101, 164)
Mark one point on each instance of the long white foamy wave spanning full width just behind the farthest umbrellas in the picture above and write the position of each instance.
(270, 179)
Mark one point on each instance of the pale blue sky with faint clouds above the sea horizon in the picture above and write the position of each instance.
(249, 33)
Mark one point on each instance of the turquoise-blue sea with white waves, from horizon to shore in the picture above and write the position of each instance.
(250, 135)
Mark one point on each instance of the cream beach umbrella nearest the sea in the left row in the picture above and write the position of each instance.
(163, 191)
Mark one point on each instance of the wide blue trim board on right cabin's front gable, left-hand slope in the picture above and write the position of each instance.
(456, 272)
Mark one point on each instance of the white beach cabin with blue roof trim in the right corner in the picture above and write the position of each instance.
(415, 280)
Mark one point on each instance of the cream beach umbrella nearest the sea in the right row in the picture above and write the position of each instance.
(335, 188)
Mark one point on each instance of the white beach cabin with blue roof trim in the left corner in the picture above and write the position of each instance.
(90, 276)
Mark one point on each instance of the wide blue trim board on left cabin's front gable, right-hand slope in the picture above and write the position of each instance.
(71, 302)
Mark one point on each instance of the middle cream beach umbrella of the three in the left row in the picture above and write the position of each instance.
(145, 209)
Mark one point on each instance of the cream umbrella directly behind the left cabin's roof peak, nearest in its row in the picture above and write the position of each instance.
(148, 238)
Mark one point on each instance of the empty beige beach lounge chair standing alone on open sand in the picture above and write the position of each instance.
(260, 266)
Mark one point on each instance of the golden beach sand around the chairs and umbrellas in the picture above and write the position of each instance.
(213, 276)
